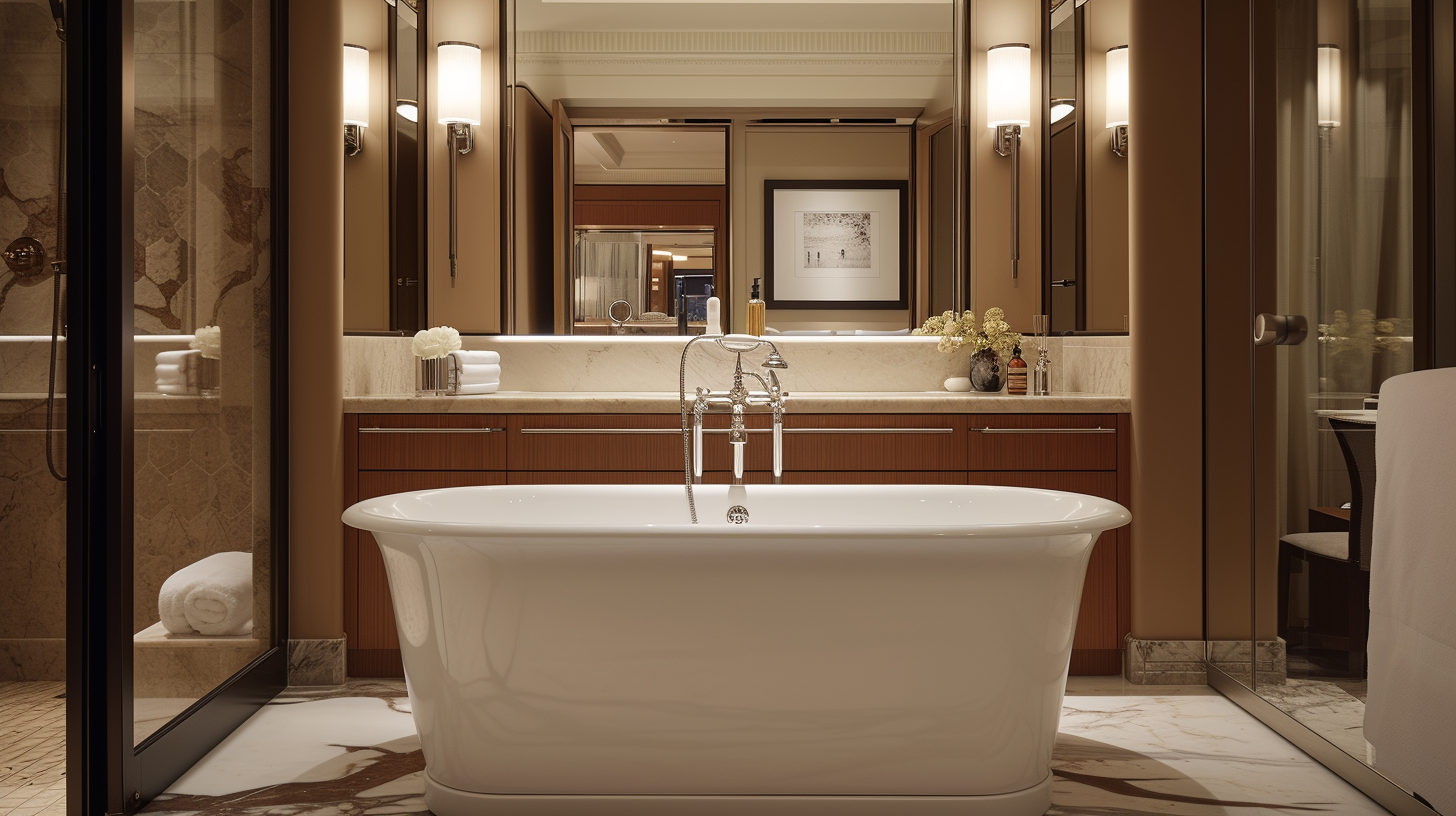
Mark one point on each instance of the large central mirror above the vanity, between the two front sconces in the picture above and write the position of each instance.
(659, 127)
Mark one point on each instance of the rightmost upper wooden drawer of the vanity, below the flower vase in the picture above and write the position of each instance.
(1043, 442)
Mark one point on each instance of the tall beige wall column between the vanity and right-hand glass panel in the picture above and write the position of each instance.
(1167, 313)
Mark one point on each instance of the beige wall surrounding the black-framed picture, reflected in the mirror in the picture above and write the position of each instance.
(809, 154)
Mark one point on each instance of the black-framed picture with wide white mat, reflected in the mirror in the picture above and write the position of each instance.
(836, 244)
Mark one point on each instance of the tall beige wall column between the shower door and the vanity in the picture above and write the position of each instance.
(317, 320)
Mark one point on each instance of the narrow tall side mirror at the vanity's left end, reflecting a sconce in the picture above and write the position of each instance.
(384, 168)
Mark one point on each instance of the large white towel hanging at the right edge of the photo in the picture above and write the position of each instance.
(1412, 712)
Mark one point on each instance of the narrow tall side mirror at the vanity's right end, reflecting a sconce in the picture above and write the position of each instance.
(1085, 248)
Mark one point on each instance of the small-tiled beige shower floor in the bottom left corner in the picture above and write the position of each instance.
(33, 748)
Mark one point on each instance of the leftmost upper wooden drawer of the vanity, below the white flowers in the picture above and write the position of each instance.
(432, 442)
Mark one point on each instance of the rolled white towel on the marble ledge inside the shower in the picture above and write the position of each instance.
(213, 597)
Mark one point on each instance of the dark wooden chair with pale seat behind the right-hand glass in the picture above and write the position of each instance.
(1337, 565)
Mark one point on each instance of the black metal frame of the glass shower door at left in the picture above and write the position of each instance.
(107, 773)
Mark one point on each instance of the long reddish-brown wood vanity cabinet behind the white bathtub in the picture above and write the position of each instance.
(1075, 452)
